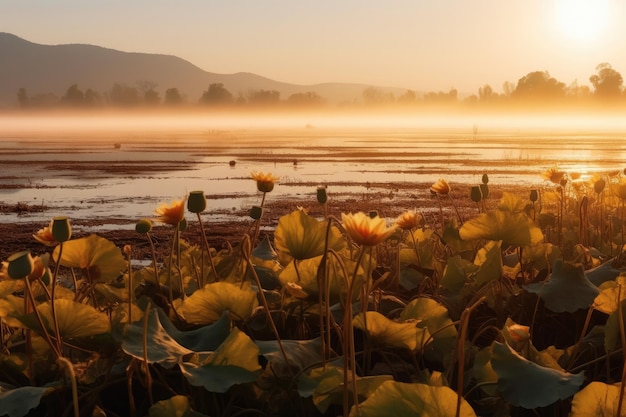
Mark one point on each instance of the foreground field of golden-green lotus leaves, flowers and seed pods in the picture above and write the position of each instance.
(513, 308)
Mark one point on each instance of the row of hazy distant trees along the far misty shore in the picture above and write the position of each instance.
(534, 88)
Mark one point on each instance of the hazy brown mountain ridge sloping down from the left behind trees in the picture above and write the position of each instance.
(53, 69)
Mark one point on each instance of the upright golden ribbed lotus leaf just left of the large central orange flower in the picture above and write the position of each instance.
(300, 236)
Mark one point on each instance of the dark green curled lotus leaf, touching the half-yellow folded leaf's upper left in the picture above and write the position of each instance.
(160, 347)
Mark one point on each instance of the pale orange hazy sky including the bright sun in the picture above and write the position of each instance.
(417, 44)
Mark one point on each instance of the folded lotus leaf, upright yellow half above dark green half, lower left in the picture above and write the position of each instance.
(234, 362)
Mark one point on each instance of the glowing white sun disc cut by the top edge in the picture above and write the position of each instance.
(582, 20)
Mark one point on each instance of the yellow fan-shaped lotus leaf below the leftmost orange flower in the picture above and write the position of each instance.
(101, 260)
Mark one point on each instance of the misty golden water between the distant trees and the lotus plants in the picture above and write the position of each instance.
(112, 165)
